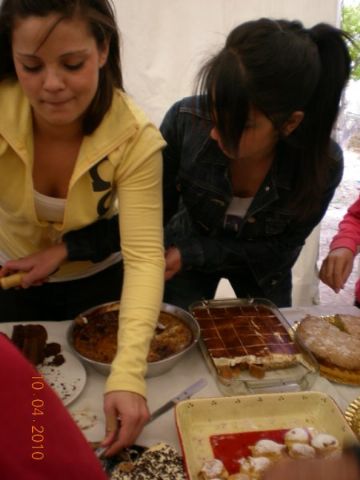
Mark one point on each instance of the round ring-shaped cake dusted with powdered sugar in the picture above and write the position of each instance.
(334, 340)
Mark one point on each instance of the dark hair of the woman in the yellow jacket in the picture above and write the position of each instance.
(101, 19)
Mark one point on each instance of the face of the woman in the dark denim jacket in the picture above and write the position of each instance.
(257, 141)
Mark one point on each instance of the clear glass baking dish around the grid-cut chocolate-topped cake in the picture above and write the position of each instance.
(298, 377)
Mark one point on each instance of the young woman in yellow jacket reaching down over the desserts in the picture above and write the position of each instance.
(74, 149)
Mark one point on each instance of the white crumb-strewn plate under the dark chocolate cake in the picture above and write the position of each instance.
(68, 379)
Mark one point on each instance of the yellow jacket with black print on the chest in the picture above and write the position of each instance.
(118, 166)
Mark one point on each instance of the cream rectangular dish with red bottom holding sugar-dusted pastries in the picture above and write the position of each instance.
(240, 437)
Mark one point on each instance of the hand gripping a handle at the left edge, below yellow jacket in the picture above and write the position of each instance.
(38, 265)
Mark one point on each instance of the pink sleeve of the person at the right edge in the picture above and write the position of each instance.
(348, 235)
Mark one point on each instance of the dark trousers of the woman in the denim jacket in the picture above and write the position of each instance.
(190, 286)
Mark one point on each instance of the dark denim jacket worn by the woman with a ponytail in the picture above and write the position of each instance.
(197, 192)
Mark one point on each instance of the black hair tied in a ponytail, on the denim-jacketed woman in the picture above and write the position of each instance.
(279, 67)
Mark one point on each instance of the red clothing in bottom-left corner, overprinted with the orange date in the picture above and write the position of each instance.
(38, 438)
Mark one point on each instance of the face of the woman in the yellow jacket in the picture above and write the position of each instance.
(59, 75)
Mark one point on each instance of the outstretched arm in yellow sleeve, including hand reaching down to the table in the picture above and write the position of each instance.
(138, 181)
